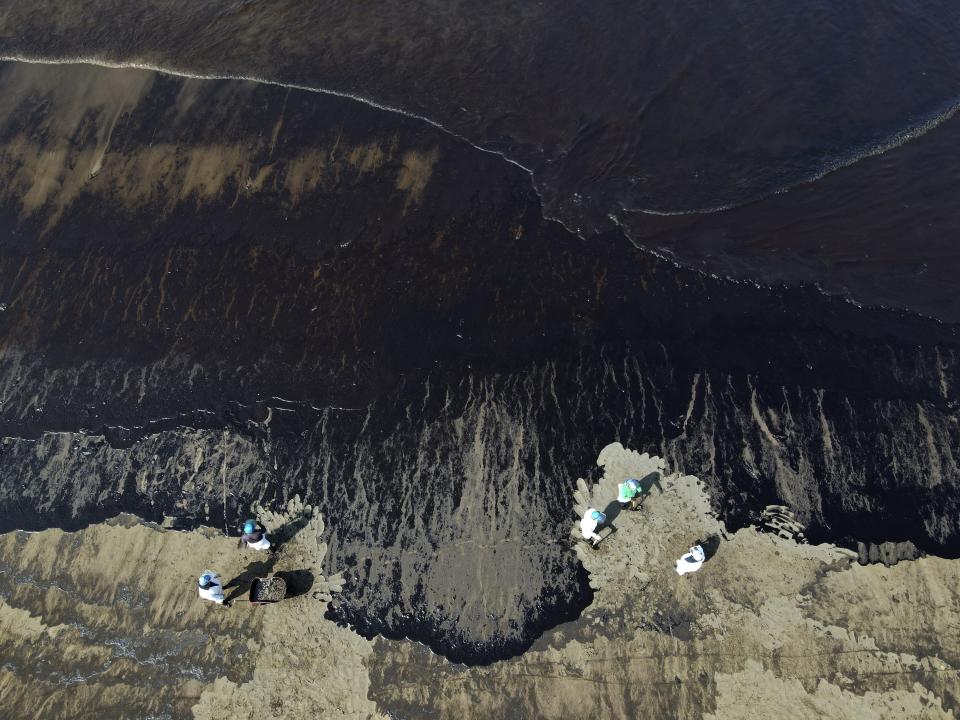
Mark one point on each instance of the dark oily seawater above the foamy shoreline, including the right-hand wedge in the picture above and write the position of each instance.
(623, 109)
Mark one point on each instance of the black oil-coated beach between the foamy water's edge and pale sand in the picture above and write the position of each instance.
(221, 292)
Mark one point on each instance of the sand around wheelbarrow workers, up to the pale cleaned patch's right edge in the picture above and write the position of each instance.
(106, 622)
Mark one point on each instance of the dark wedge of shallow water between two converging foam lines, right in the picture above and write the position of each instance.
(882, 231)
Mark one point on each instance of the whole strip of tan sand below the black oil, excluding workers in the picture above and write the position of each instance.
(106, 622)
